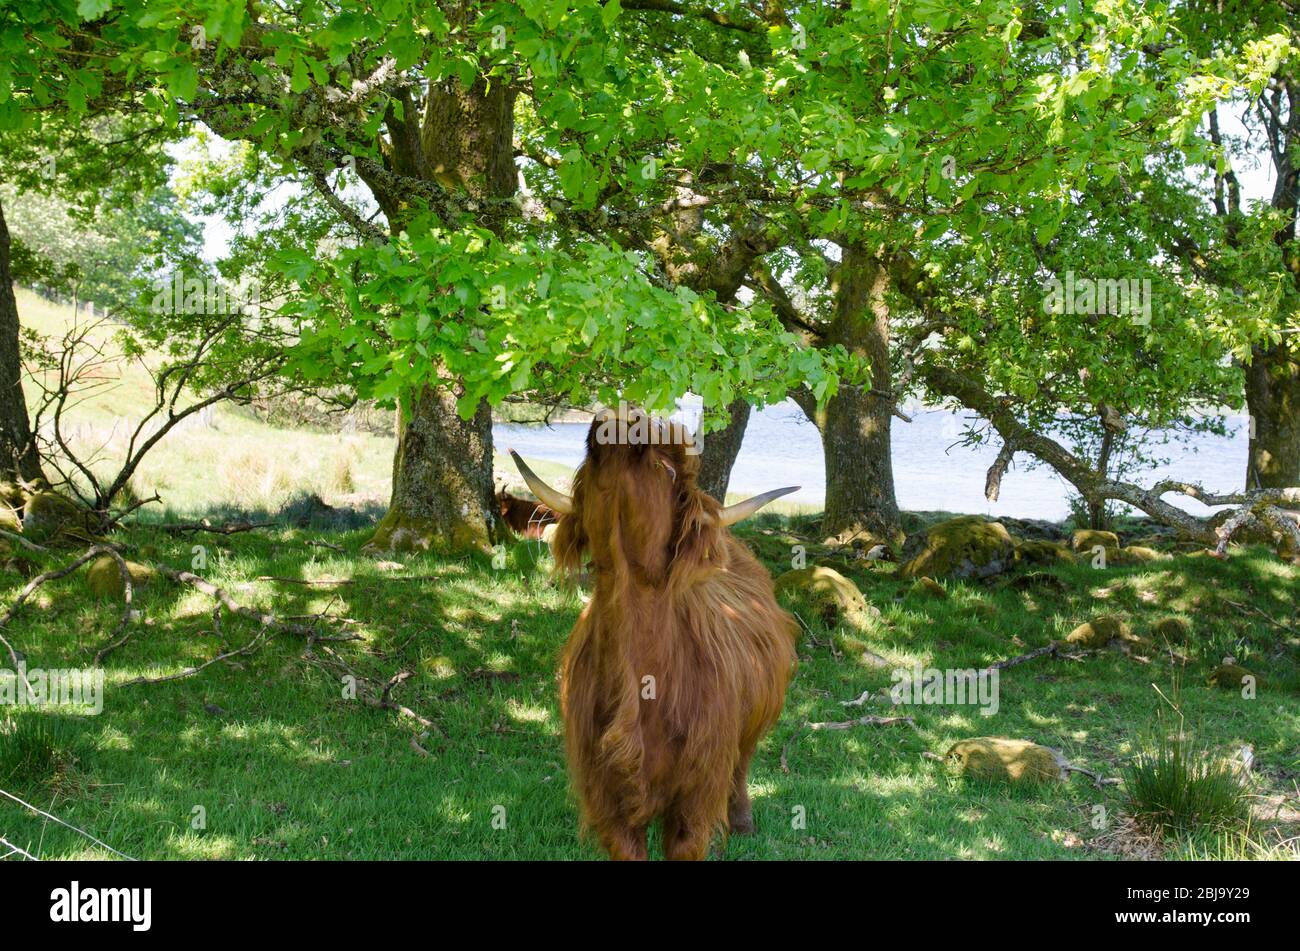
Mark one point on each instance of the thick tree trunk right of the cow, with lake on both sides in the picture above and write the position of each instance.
(860, 492)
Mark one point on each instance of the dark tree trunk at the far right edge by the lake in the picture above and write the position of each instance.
(1273, 401)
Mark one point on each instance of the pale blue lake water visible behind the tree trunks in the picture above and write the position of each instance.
(783, 449)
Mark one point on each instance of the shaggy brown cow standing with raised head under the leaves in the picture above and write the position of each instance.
(679, 665)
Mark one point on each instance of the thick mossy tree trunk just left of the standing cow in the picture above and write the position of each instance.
(443, 472)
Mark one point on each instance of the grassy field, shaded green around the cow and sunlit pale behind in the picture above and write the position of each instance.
(266, 757)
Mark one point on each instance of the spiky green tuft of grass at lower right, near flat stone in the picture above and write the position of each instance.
(1178, 787)
